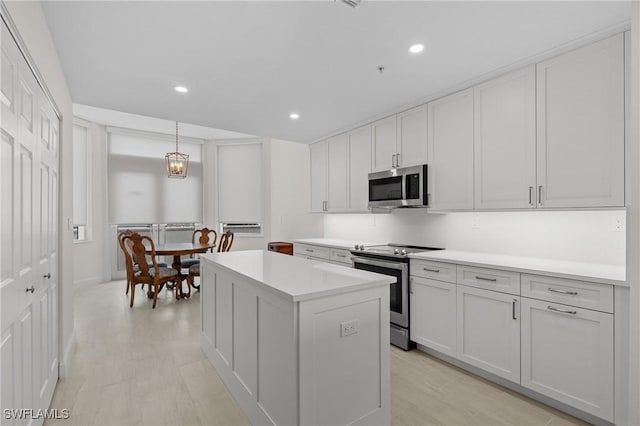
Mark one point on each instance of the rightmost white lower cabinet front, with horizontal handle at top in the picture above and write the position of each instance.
(567, 354)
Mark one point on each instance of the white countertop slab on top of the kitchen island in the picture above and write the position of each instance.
(295, 278)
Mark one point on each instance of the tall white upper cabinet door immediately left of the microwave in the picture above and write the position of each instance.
(359, 150)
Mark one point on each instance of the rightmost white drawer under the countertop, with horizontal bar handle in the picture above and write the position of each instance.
(582, 294)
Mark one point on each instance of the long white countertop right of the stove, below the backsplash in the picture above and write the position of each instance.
(607, 274)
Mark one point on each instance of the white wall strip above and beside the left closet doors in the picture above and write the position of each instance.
(32, 26)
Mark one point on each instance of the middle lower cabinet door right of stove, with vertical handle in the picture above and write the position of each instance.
(488, 331)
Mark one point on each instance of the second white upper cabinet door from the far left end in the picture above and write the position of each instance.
(337, 155)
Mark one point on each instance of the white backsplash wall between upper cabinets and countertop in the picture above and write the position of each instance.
(586, 236)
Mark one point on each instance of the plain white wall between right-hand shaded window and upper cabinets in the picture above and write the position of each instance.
(290, 184)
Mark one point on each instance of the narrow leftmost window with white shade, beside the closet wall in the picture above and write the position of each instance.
(81, 179)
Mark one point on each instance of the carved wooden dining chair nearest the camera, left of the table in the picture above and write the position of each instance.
(155, 276)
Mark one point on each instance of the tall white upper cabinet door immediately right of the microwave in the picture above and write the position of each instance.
(450, 152)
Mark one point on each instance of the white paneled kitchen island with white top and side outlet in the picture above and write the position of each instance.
(297, 341)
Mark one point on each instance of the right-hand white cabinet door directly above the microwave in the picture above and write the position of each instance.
(412, 137)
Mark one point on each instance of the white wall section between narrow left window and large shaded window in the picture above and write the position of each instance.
(90, 260)
